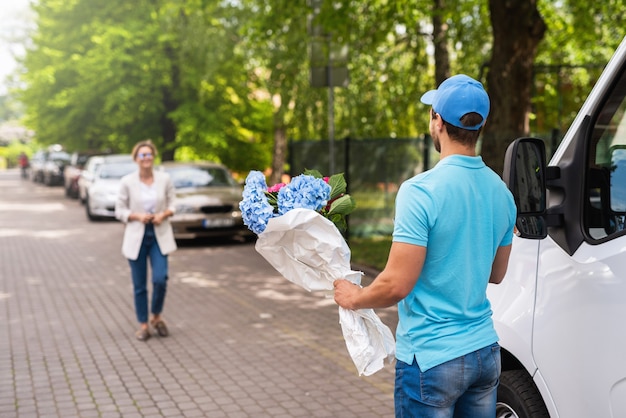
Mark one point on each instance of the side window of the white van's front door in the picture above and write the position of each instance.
(605, 203)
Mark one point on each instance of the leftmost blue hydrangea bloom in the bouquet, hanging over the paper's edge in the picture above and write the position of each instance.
(255, 209)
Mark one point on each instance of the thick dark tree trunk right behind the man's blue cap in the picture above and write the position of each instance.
(517, 30)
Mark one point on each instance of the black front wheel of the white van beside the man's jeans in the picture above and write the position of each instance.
(518, 397)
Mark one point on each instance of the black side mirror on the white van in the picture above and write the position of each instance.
(524, 175)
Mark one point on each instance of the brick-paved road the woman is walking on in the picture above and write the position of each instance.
(244, 341)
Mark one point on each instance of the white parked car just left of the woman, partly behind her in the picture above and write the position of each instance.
(102, 193)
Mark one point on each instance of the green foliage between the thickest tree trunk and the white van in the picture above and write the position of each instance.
(566, 68)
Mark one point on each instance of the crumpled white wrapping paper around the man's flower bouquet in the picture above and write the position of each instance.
(308, 250)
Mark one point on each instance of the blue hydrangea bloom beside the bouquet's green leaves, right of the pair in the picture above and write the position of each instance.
(305, 192)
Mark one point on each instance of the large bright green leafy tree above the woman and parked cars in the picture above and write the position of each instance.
(107, 74)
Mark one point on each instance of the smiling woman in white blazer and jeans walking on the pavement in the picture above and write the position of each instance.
(145, 202)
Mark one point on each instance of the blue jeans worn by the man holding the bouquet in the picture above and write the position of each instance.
(464, 387)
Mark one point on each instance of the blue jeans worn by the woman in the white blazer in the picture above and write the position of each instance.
(139, 272)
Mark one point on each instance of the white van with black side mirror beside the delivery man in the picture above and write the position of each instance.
(561, 310)
